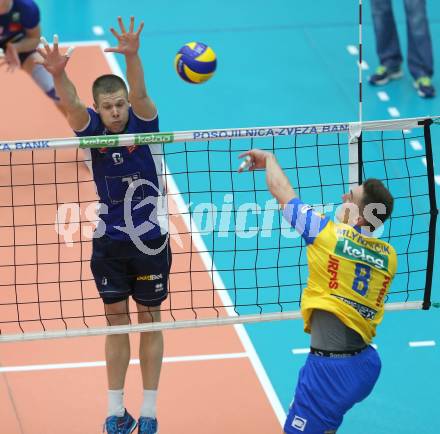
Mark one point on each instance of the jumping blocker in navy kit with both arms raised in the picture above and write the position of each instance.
(126, 261)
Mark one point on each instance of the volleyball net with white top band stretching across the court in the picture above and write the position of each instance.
(235, 259)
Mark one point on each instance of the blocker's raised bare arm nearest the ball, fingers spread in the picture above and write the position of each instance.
(128, 44)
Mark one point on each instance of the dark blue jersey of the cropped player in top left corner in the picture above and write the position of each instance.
(23, 15)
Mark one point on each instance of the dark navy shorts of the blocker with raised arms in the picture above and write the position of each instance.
(121, 270)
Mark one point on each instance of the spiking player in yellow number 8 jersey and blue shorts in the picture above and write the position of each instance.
(350, 272)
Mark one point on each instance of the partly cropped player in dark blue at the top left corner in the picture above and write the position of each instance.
(19, 37)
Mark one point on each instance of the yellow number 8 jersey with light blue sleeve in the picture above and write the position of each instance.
(349, 272)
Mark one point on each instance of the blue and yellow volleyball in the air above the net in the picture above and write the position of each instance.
(195, 62)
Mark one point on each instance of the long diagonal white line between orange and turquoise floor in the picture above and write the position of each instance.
(215, 276)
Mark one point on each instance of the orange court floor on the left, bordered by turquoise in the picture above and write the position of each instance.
(211, 380)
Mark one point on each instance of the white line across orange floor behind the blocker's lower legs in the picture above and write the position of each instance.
(55, 366)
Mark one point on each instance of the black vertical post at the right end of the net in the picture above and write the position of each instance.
(433, 211)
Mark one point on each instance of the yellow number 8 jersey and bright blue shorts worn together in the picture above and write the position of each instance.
(349, 276)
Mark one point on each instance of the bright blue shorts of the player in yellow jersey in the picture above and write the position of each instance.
(327, 388)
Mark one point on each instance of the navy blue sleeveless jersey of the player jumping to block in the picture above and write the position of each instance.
(129, 182)
